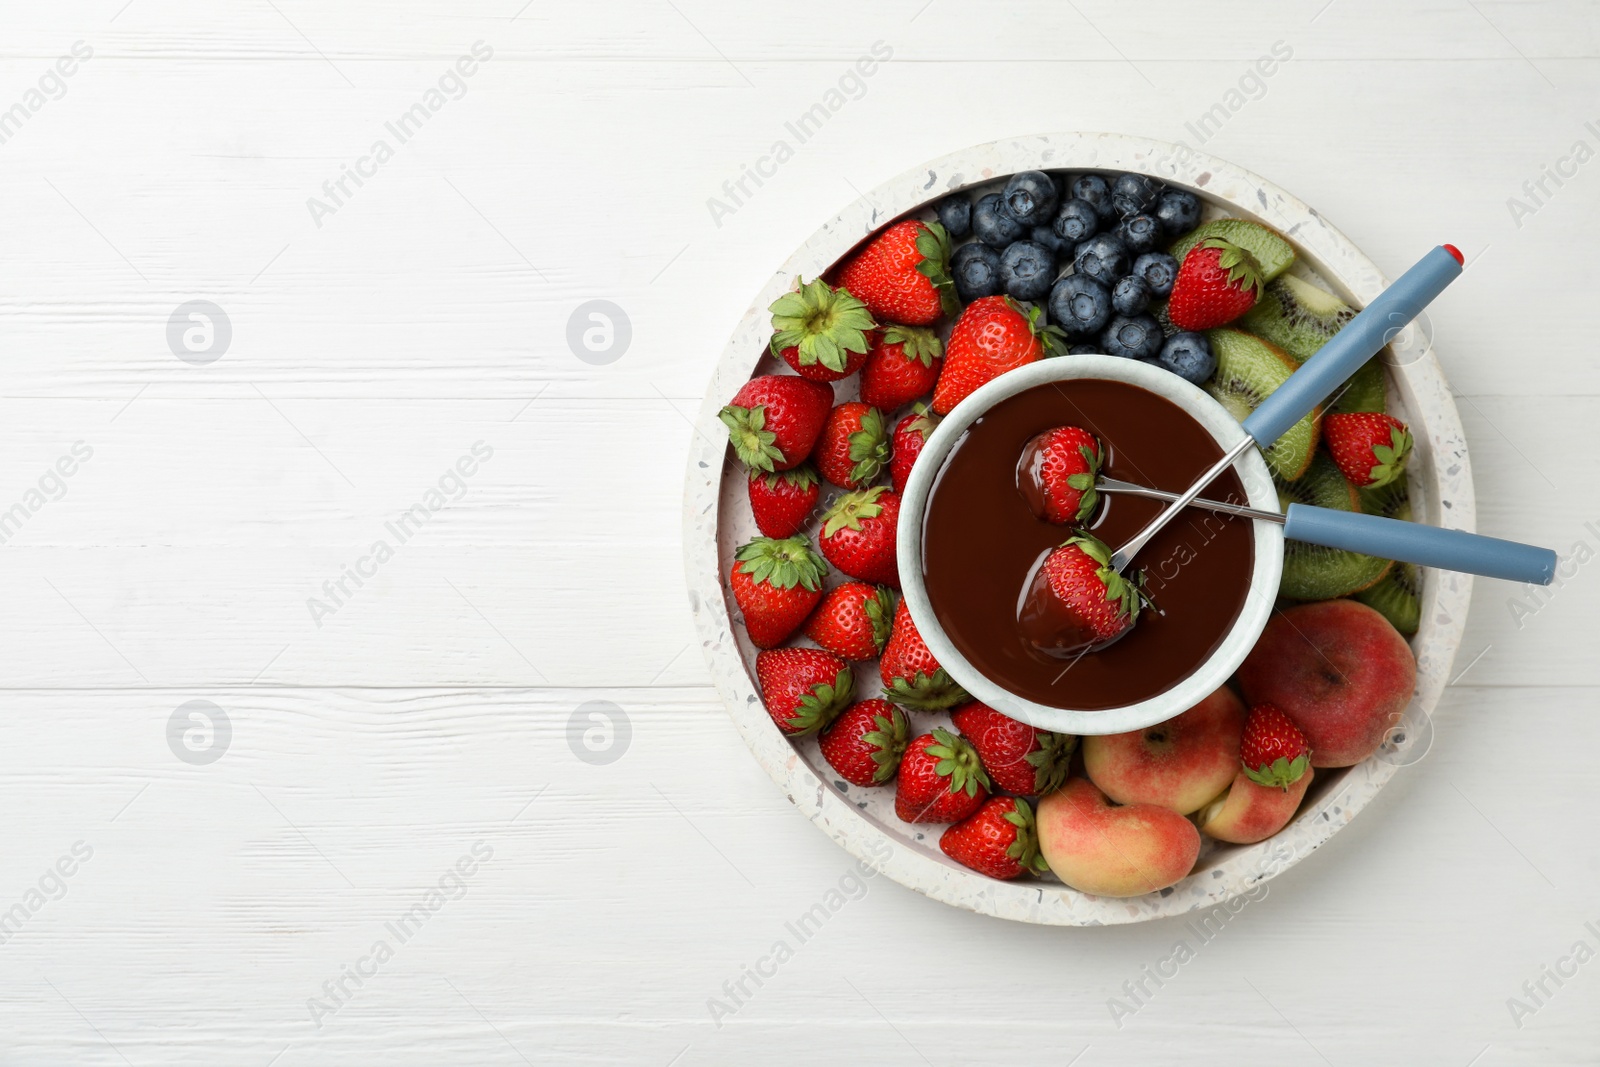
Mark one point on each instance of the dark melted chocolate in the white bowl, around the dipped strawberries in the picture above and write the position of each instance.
(982, 541)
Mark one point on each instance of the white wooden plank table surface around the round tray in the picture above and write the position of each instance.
(388, 841)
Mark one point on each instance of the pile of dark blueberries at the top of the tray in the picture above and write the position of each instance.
(1092, 249)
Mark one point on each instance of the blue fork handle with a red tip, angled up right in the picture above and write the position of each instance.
(1351, 348)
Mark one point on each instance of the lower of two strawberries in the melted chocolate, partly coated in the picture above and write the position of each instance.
(1078, 601)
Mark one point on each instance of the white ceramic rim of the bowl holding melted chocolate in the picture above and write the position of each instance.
(1218, 668)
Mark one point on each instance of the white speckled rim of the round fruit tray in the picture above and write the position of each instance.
(1442, 495)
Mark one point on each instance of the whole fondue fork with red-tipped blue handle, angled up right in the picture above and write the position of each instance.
(1319, 377)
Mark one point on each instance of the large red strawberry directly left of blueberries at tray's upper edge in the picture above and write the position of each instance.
(903, 274)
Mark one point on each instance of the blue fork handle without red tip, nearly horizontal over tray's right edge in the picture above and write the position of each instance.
(1417, 543)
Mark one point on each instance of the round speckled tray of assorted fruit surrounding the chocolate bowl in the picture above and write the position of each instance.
(940, 284)
